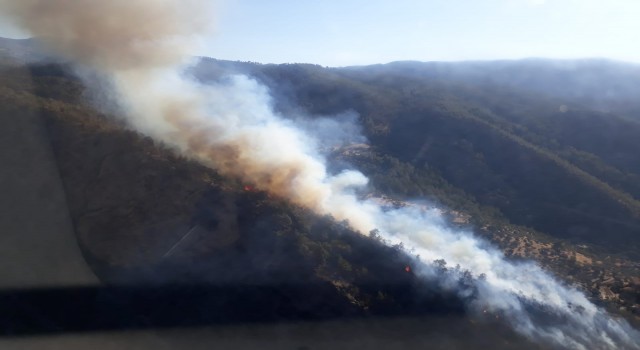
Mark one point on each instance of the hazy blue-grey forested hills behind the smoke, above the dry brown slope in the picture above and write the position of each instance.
(550, 145)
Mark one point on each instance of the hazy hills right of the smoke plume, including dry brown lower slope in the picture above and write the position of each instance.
(545, 168)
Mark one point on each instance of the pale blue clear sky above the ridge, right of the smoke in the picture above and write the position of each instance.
(353, 32)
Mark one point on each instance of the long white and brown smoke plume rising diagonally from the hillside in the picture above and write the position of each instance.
(141, 46)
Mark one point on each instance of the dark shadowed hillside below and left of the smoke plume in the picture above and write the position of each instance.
(184, 224)
